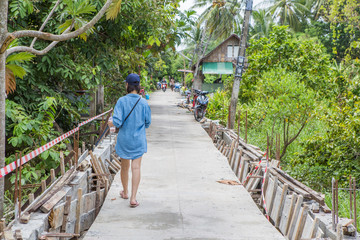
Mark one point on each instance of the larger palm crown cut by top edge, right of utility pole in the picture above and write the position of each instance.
(290, 12)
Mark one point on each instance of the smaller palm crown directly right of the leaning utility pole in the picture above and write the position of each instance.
(262, 24)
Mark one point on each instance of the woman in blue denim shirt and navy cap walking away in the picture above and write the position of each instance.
(132, 115)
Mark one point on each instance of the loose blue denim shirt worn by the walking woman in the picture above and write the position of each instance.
(131, 139)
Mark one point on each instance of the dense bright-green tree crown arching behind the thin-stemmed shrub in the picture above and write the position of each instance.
(305, 57)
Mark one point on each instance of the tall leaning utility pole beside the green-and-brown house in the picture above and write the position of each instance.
(240, 63)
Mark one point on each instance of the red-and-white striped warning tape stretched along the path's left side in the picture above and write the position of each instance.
(12, 166)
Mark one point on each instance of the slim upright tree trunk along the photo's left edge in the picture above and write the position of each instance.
(3, 32)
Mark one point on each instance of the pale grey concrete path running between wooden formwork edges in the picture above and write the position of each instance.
(179, 196)
